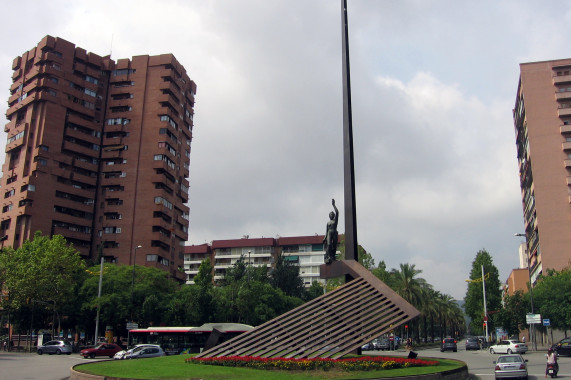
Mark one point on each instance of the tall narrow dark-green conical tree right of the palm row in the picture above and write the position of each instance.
(474, 299)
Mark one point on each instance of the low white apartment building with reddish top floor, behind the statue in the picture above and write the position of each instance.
(304, 251)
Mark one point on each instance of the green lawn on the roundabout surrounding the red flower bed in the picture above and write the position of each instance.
(174, 367)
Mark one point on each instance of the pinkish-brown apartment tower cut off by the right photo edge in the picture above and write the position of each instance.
(542, 120)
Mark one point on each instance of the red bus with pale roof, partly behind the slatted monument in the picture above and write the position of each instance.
(178, 340)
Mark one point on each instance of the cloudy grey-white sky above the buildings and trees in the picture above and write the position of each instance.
(433, 87)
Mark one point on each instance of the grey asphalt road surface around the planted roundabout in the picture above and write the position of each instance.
(18, 366)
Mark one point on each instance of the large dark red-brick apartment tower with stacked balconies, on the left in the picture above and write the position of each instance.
(98, 151)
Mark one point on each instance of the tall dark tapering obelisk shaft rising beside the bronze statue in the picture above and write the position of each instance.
(351, 252)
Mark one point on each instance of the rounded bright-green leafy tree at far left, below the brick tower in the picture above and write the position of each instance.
(44, 273)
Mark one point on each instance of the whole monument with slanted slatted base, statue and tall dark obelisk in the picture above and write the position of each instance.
(341, 321)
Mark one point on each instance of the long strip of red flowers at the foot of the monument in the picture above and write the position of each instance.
(364, 363)
